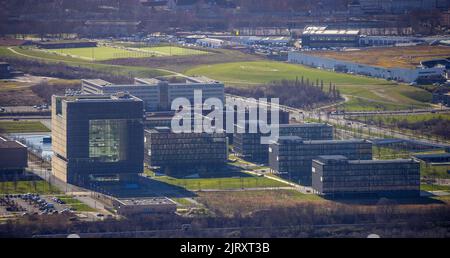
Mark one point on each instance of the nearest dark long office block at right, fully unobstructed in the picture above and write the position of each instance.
(339, 176)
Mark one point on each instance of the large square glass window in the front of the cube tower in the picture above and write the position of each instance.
(108, 140)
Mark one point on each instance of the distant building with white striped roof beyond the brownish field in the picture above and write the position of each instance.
(323, 37)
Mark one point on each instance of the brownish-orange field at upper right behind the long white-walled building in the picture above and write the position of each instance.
(406, 57)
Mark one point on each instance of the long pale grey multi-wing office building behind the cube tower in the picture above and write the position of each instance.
(158, 94)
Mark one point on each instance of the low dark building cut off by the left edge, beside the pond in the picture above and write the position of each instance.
(13, 157)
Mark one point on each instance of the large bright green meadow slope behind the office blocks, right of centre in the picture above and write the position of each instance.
(364, 93)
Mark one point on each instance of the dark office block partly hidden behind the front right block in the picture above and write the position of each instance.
(292, 157)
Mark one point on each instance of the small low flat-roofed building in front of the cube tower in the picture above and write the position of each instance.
(141, 206)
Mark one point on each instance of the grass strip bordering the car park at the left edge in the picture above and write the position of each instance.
(40, 187)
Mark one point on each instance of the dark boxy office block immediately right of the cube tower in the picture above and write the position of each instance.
(185, 152)
